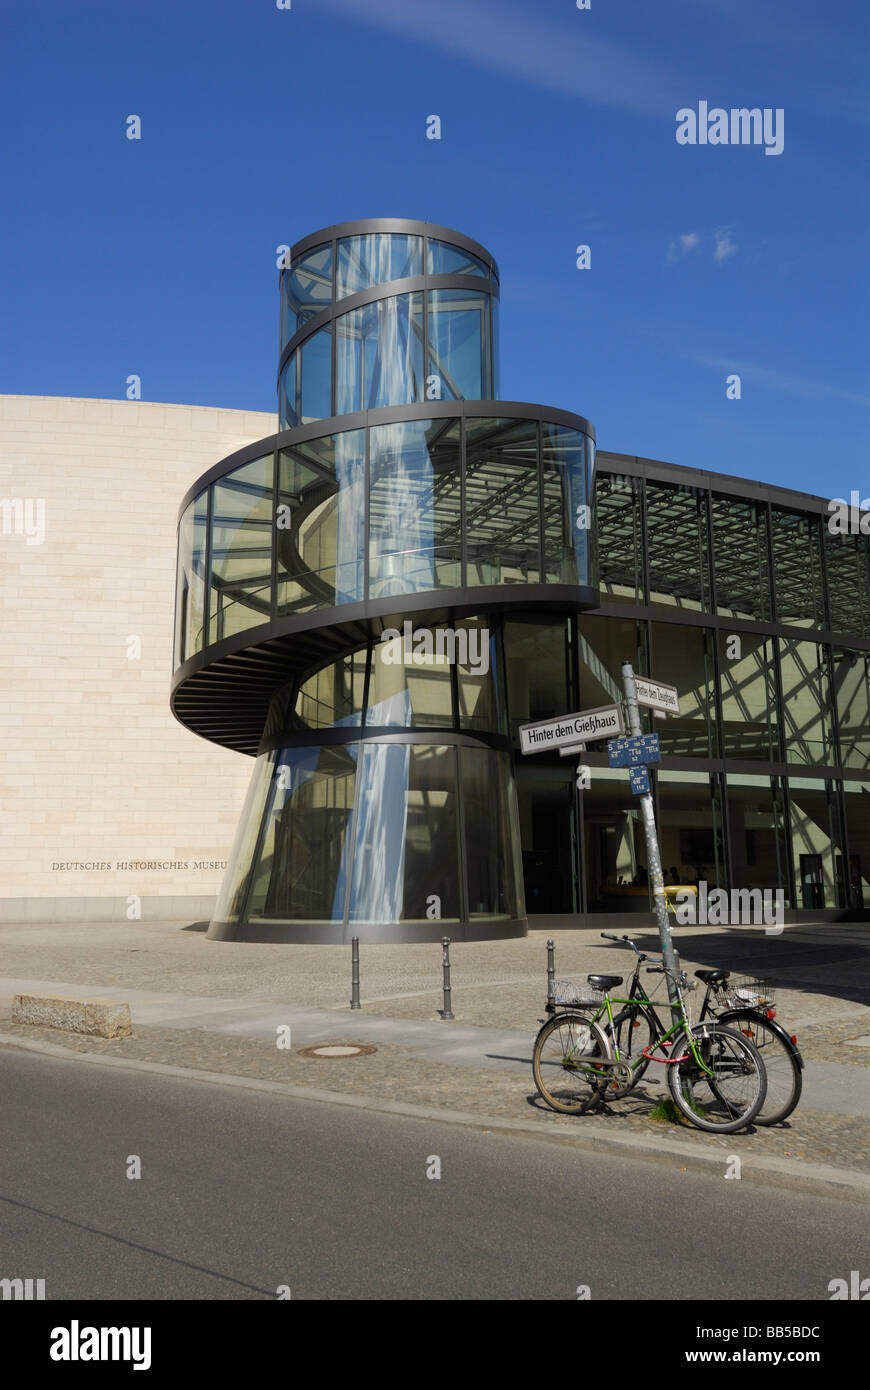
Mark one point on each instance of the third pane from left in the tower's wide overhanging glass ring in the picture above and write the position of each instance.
(320, 523)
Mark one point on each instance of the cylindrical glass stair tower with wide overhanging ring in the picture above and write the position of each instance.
(343, 593)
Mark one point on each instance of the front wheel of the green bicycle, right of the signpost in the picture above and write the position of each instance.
(733, 1096)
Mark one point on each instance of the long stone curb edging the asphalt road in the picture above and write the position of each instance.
(810, 1178)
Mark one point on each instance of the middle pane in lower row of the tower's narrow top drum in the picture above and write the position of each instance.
(380, 355)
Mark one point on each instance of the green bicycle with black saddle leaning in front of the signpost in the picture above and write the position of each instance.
(715, 1074)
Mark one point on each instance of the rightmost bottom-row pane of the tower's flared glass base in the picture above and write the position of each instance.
(493, 835)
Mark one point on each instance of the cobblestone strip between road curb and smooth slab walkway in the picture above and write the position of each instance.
(811, 1136)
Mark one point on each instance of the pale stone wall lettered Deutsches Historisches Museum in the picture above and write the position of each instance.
(94, 769)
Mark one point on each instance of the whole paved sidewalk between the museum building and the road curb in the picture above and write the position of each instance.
(216, 1007)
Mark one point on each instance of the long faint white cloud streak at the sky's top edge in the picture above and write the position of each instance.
(562, 56)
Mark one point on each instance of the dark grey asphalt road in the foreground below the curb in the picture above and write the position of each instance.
(244, 1192)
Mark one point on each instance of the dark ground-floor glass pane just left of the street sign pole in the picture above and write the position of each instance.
(615, 846)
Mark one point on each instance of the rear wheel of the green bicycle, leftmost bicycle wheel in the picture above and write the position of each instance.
(564, 1064)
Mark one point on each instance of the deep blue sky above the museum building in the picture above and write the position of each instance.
(259, 126)
